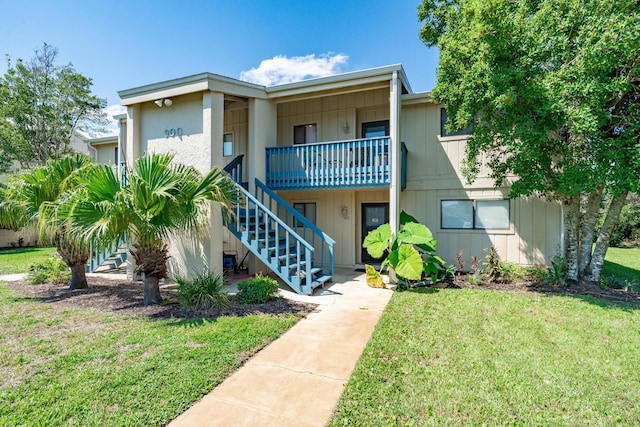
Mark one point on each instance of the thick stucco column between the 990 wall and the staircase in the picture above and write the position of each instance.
(213, 129)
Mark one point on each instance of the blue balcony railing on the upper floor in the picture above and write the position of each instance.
(341, 164)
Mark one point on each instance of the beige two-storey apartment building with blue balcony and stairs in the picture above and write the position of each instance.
(347, 152)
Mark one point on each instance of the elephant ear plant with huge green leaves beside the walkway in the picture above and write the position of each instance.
(410, 256)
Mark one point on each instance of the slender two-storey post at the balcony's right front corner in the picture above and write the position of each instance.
(395, 155)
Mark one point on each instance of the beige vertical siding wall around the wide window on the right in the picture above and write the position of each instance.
(433, 175)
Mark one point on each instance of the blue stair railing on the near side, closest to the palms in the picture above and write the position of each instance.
(273, 242)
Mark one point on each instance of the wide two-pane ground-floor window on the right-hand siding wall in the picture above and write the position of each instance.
(474, 214)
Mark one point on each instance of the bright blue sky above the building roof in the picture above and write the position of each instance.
(124, 44)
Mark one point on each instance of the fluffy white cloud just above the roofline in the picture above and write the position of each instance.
(281, 69)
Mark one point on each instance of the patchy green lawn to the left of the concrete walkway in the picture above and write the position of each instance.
(69, 367)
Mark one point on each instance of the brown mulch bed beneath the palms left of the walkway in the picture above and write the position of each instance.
(125, 297)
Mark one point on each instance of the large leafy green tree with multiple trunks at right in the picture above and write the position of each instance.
(553, 89)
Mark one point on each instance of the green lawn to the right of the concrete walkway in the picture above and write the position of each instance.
(474, 357)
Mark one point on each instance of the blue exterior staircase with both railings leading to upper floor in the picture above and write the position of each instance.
(283, 239)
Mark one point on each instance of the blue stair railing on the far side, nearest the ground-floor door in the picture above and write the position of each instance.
(319, 240)
